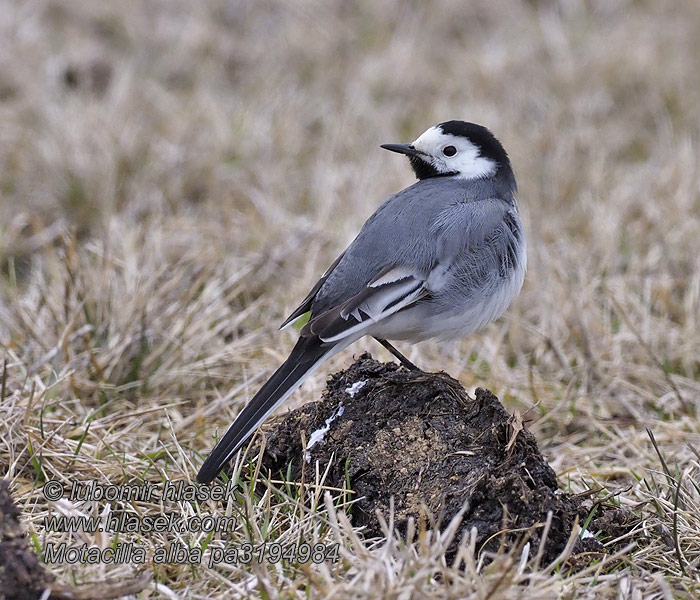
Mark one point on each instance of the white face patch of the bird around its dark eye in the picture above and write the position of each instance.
(437, 146)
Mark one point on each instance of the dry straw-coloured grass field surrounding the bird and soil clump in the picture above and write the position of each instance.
(175, 175)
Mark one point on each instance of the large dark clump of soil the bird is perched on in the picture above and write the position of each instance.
(418, 437)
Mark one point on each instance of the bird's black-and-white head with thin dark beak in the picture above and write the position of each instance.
(456, 148)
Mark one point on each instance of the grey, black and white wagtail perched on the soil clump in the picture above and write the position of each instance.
(440, 259)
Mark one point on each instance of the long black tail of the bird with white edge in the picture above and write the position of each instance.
(308, 353)
